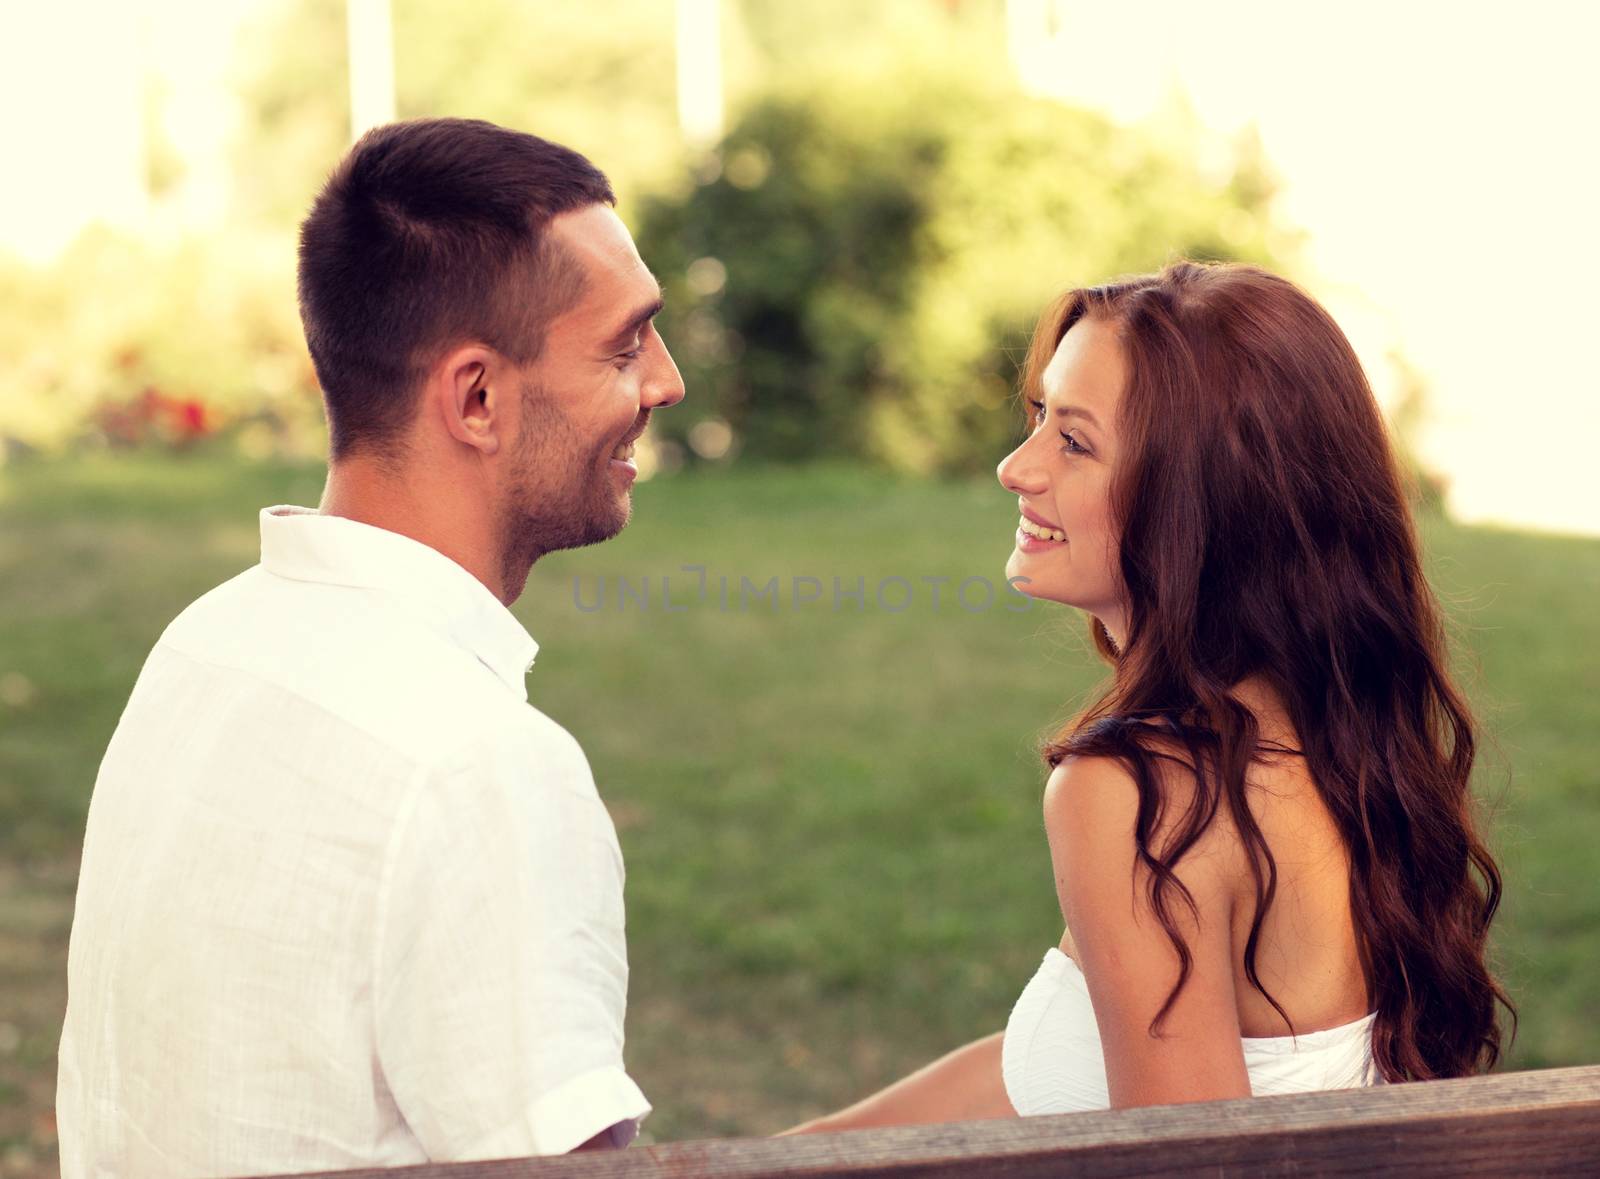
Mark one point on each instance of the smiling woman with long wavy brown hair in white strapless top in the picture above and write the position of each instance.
(1263, 839)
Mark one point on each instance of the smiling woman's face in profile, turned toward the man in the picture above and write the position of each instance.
(1066, 542)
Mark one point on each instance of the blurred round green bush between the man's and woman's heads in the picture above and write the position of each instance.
(858, 270)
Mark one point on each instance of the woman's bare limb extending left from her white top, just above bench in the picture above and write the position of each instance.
(961, 1087)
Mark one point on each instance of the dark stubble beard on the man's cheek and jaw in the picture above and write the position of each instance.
(561, 494)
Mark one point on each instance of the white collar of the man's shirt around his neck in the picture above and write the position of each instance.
(305, 545)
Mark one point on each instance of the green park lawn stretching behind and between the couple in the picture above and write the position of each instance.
(830, 810)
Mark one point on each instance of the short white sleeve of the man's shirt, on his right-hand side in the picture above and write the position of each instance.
(502, 965)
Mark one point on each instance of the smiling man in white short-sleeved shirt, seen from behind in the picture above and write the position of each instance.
(346, 900)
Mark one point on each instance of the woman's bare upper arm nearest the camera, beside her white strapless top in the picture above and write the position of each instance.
(1130, 964)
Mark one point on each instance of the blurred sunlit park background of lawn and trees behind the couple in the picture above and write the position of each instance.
(857, 210)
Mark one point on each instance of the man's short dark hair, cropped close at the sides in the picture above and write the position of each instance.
(431, 234)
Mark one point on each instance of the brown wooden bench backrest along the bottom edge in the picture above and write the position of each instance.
(1521, 1124)
